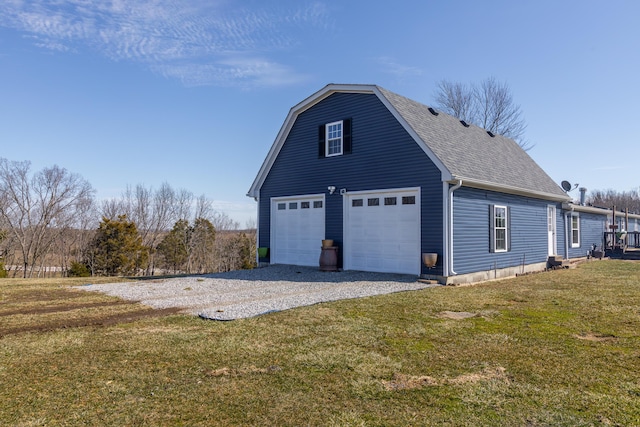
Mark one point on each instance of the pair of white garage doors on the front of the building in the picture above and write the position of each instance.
(381, 230)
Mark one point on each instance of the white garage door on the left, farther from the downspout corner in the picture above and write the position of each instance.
(297, 230)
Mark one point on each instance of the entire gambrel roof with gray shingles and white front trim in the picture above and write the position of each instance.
(460, 151)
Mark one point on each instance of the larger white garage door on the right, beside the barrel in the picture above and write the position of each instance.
(382, 231)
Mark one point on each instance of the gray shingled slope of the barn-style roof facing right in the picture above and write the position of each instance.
(470, 152)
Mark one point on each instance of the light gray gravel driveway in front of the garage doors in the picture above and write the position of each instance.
(248, 293)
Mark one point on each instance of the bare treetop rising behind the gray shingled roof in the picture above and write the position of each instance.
(488, 105)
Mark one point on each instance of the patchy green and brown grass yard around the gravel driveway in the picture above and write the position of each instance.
(558, 348)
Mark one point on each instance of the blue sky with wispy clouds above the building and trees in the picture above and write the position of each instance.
(193, 92)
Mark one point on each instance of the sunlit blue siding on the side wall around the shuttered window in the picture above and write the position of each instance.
(528, 228)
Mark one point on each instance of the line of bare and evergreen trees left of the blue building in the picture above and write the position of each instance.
(50, 220)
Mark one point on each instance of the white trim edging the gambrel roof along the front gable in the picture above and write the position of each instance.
(312, 100)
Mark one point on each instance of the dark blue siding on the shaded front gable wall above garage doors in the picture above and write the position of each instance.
(384, 156)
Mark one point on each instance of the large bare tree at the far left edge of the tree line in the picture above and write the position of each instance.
(37, 209)
